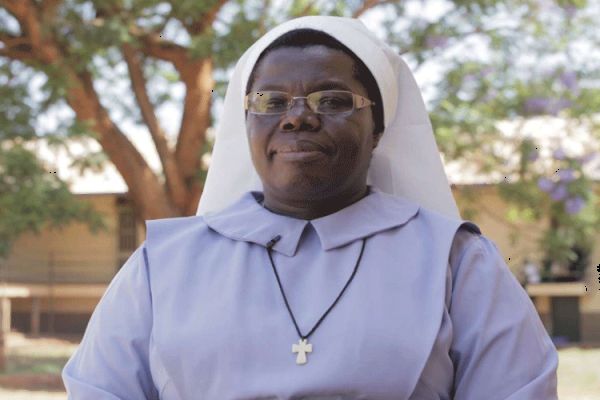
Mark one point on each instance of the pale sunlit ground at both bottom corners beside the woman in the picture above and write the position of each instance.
(34, 365)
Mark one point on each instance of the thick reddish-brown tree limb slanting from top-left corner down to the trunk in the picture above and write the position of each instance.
(42, 47)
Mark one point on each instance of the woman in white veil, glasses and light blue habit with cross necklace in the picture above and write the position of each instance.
(307, 282)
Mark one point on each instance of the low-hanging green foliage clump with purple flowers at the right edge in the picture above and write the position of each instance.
(564, 196)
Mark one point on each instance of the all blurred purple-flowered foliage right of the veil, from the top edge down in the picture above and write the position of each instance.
(513, 61)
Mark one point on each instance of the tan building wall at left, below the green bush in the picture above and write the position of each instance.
(70, 255)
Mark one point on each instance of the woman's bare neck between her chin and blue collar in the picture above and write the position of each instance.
(312, 209)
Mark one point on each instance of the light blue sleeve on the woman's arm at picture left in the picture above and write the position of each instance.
(111, 363)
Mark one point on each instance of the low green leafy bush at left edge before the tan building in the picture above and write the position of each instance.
(31, 195)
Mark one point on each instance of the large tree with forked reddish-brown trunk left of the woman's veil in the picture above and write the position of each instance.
(69, 41)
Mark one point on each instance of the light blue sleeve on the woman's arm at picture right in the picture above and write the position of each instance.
(500, 349)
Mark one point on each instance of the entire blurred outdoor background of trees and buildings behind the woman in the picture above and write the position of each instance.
(107, 110)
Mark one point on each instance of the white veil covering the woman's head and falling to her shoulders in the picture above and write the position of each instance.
(406, 161)
